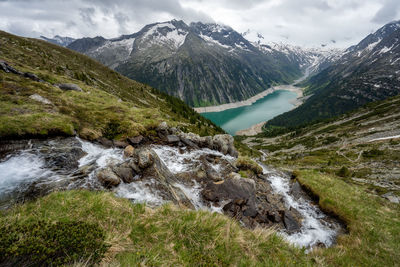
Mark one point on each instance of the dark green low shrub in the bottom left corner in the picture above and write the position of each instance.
(42, 243)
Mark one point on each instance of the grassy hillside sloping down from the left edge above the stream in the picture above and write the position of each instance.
(110, 105)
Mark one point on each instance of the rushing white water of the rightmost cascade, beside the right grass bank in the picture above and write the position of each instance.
(314, 230)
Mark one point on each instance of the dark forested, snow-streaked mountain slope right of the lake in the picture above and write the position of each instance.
(365, 73)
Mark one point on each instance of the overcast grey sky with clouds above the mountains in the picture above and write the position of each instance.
(337, 23)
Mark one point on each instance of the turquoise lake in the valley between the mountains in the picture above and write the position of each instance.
(232, 120)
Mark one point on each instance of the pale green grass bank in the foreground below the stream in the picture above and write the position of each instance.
(137, 235)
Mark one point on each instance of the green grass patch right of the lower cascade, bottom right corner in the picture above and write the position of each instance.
(373, 222)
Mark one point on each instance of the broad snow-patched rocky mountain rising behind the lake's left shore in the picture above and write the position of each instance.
(203, 64)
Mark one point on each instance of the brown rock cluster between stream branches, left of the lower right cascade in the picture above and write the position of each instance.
(253, 202)
